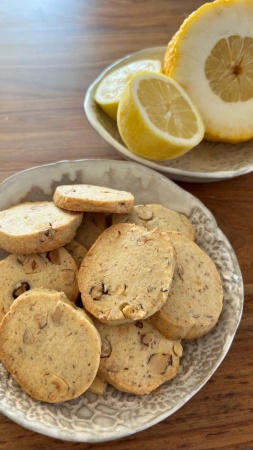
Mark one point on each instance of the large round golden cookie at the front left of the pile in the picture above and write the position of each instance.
(49, 346)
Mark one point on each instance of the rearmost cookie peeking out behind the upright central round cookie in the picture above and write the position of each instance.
(157, 216)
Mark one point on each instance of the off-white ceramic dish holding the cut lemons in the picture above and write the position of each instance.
(209, 161)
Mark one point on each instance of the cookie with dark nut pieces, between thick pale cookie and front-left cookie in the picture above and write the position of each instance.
(53, 270)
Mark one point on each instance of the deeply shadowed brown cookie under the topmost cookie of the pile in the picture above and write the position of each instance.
(93, 224)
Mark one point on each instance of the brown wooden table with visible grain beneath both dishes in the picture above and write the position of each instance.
(50, 51)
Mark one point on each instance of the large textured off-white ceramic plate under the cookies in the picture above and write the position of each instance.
(94, 418)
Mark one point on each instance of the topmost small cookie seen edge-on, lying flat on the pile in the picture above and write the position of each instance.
(90, 198)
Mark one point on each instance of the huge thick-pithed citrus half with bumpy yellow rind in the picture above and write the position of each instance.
(211, 57)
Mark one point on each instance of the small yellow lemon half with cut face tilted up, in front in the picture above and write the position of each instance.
(156, 118)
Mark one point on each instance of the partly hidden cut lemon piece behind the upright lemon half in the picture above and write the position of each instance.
(112, 85)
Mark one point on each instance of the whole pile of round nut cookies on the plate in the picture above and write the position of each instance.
(143, 282)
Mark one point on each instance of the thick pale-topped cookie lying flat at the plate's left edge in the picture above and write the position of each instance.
(34, 227)
